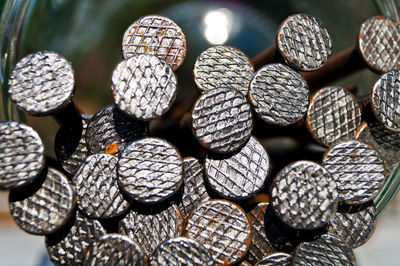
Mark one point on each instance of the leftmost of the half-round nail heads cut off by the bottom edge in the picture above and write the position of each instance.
(114, 249)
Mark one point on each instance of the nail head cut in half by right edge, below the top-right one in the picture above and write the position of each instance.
(385, 100)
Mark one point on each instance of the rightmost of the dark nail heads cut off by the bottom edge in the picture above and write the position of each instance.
(327, 250)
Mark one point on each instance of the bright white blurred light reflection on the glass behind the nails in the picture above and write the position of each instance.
(217, 25)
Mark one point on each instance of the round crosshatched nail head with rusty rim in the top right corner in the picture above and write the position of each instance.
(378, 42)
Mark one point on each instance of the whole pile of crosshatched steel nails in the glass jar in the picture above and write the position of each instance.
(121, 195)
